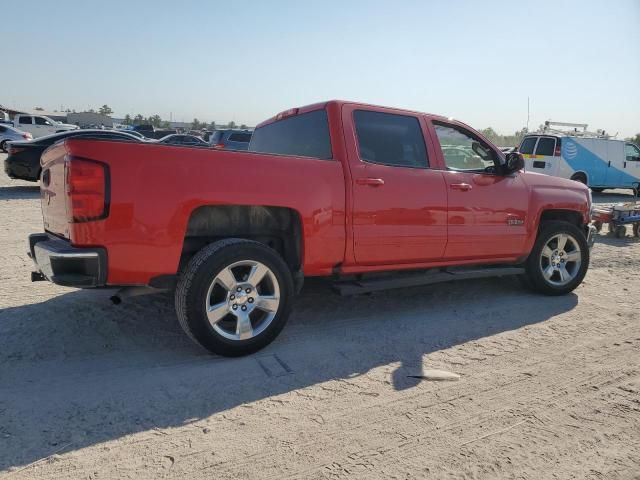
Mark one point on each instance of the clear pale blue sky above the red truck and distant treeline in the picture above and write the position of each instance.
(477, 61)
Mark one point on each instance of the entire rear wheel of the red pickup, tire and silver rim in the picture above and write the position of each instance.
(234, 297)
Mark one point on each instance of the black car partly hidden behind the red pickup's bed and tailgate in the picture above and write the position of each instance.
(23, 161)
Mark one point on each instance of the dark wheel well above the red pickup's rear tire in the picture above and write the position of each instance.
(278, 227)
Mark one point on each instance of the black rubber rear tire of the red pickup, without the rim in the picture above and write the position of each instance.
(194, 285)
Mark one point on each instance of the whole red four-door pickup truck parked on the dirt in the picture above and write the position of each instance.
(372, 197)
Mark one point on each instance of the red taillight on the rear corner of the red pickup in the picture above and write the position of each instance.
(87, 190)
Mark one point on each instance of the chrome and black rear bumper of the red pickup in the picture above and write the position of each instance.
(66, 265)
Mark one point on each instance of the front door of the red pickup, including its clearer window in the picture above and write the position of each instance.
(487, 211)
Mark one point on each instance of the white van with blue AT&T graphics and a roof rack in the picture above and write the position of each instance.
(594, 159)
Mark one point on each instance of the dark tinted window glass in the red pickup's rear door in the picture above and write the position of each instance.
(390, 139)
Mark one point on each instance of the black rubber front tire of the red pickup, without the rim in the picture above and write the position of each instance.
(533, 266)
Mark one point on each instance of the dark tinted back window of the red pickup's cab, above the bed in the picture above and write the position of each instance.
(305, 135)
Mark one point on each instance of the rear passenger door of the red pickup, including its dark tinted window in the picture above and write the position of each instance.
(398, 202)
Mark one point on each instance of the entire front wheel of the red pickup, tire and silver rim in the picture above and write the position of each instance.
(559, 259)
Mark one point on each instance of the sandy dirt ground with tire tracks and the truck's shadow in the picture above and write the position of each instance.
(547, 388)
